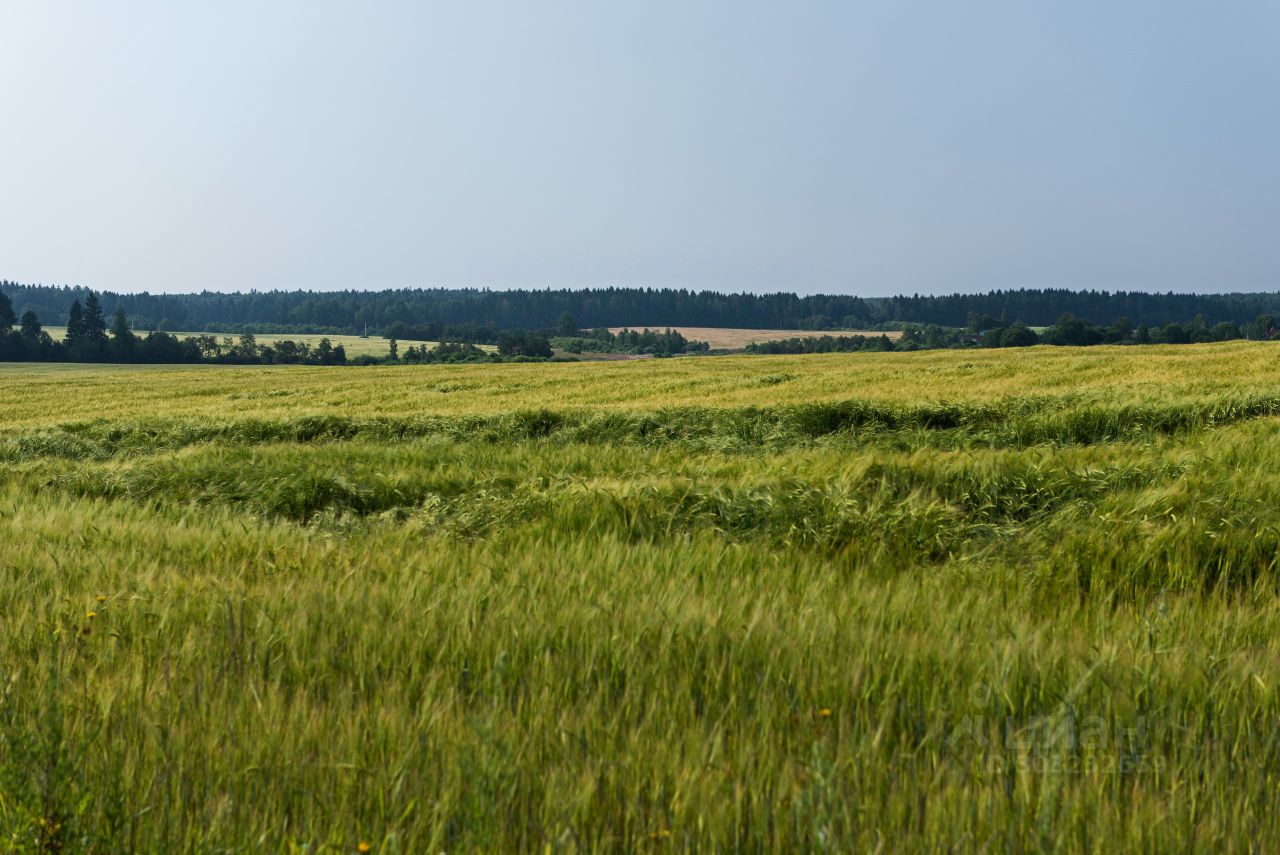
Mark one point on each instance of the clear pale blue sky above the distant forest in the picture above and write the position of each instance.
(840, 148)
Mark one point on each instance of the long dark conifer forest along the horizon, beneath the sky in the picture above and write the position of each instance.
(356, 312)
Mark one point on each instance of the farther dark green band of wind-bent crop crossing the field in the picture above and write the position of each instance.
(1014, 423)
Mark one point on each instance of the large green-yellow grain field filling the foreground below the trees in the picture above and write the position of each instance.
(852, 602)
